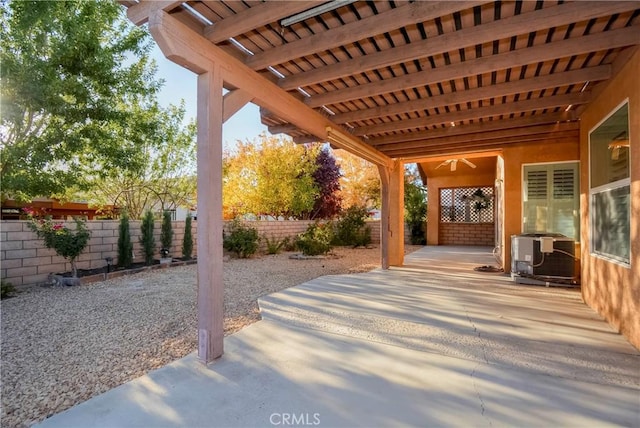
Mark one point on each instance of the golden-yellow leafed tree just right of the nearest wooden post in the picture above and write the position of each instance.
(269, 176)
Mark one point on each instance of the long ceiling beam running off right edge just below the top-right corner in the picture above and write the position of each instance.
(565, 48)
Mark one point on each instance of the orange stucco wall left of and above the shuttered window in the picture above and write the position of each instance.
(514, 157)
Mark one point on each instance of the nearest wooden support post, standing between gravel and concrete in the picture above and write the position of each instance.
(210, 285)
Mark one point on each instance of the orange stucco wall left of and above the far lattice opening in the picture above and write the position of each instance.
(461, 179)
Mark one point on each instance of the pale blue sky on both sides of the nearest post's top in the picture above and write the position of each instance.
(180, 83)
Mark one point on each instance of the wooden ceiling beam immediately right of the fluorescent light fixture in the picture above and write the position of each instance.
(396, 18)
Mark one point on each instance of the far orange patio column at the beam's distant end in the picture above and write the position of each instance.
(392, 221)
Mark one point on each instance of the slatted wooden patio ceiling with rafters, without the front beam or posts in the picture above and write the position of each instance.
(419, 79)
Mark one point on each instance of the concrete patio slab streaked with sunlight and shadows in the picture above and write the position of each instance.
(430, 344)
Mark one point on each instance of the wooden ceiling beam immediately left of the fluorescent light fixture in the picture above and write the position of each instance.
(255, 17)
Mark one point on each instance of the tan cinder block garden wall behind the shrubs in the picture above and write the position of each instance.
(24, 260)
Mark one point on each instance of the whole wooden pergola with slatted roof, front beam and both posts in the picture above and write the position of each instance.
(390, 81)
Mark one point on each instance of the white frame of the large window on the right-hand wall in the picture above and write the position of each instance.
(625, 182)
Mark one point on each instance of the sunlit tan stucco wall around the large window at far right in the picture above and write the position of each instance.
(612, 289)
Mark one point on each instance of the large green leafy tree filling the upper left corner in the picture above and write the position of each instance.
(71, 72)
